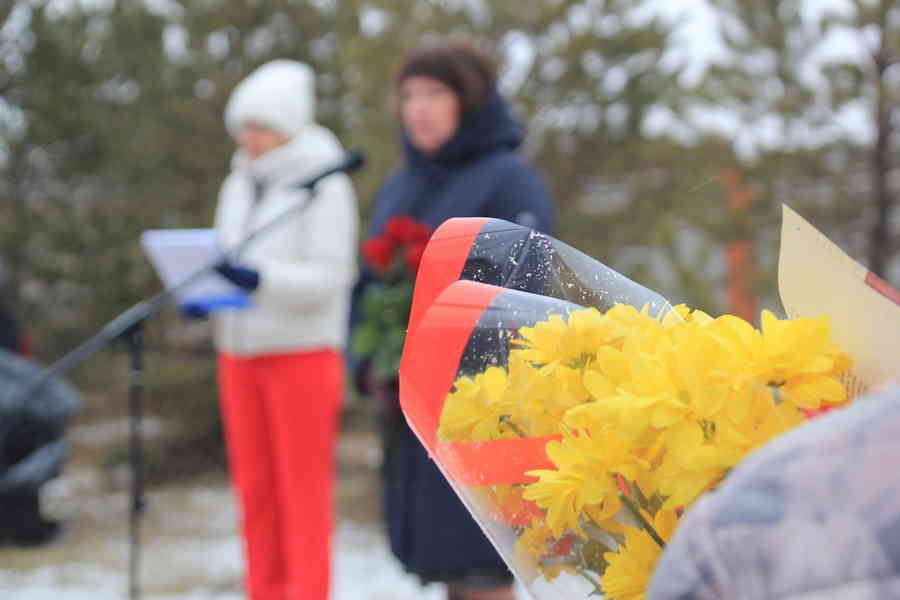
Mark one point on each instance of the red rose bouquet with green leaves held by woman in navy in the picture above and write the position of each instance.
(394, 256)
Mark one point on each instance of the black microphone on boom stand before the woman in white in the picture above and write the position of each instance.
(128, 326)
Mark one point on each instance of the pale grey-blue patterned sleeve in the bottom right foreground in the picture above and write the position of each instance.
(814, 514)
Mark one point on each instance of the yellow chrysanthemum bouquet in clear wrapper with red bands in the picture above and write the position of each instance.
(578, 415)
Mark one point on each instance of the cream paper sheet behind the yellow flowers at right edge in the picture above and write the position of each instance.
(816, 278)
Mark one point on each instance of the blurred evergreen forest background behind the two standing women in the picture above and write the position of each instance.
(669, 171)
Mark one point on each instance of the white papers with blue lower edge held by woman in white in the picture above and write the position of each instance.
(177, 253)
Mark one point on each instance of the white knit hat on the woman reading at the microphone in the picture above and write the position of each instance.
(280, 94)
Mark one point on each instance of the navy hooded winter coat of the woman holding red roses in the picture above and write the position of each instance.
(478, 173)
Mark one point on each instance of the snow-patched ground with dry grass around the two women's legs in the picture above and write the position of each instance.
(190, 549)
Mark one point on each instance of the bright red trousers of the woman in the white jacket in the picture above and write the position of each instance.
(280, 418)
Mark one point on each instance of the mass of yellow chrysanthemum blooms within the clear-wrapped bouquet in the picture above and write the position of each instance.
(664, 407)
